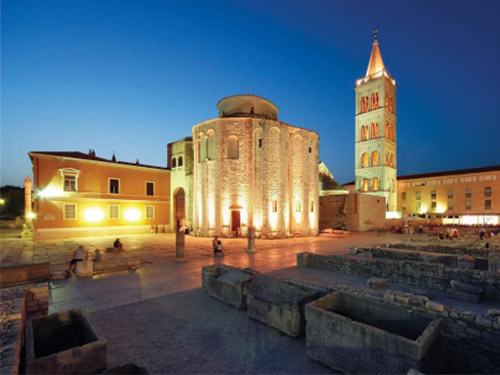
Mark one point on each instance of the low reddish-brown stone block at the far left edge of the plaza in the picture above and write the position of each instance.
(24, 274)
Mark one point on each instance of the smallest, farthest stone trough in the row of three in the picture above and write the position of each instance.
(227, 285)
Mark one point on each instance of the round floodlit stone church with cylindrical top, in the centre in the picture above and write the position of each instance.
(250, 169)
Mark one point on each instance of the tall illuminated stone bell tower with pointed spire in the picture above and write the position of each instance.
(375, 138)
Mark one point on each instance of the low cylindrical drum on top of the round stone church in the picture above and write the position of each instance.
(247, 106)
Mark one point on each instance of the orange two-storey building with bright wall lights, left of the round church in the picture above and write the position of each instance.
(82, 194)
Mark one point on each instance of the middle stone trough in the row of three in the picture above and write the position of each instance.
(279, 304)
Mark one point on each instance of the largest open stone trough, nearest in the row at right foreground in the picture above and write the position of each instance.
(359, 335)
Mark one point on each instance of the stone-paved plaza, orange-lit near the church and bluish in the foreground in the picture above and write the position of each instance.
(159, 317)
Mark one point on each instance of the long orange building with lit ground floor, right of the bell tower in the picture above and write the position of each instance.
(466, 196)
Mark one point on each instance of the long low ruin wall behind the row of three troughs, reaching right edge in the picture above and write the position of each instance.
(426, 275)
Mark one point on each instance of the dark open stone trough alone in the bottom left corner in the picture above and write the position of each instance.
(64, 343)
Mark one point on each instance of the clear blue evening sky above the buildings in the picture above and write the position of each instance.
(132, 76)
